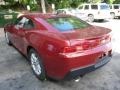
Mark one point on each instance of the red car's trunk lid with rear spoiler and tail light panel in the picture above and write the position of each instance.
(87, 38)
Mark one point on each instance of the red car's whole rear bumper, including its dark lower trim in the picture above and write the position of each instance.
(71, 65)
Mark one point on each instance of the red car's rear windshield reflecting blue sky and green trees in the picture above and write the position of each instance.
(67, 23)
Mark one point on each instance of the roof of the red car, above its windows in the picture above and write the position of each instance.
(45, 16)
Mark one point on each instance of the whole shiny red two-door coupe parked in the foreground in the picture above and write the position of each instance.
(60, 46)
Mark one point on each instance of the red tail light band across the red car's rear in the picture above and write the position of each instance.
(87, 44)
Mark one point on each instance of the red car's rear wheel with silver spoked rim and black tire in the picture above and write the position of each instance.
(41, 75)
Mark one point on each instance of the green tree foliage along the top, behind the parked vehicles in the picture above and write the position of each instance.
(58, 3)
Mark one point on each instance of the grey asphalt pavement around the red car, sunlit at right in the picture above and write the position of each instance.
(16, 73)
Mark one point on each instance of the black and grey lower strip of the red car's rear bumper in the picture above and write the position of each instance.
(76, 73)
